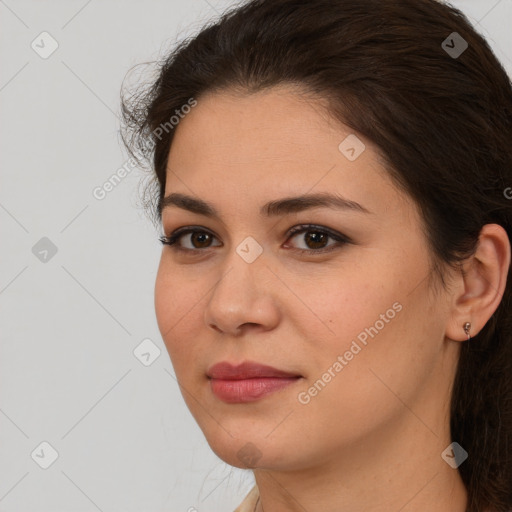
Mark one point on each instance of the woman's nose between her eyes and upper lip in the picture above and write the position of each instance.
(243, 297)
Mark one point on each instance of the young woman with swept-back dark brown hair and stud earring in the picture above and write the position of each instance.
(333, 182)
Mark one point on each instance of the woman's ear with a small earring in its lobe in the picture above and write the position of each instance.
(482, 285)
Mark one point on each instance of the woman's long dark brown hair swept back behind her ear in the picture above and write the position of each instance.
(442, 122)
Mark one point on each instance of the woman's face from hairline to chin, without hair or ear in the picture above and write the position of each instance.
(355, 323)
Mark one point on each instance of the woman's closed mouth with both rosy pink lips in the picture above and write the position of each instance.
(248, 381)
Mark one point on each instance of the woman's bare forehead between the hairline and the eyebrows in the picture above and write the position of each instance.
(274, 143)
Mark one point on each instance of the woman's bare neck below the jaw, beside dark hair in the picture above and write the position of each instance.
(396, 470)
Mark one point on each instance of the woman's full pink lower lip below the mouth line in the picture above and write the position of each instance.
(248, 390)
